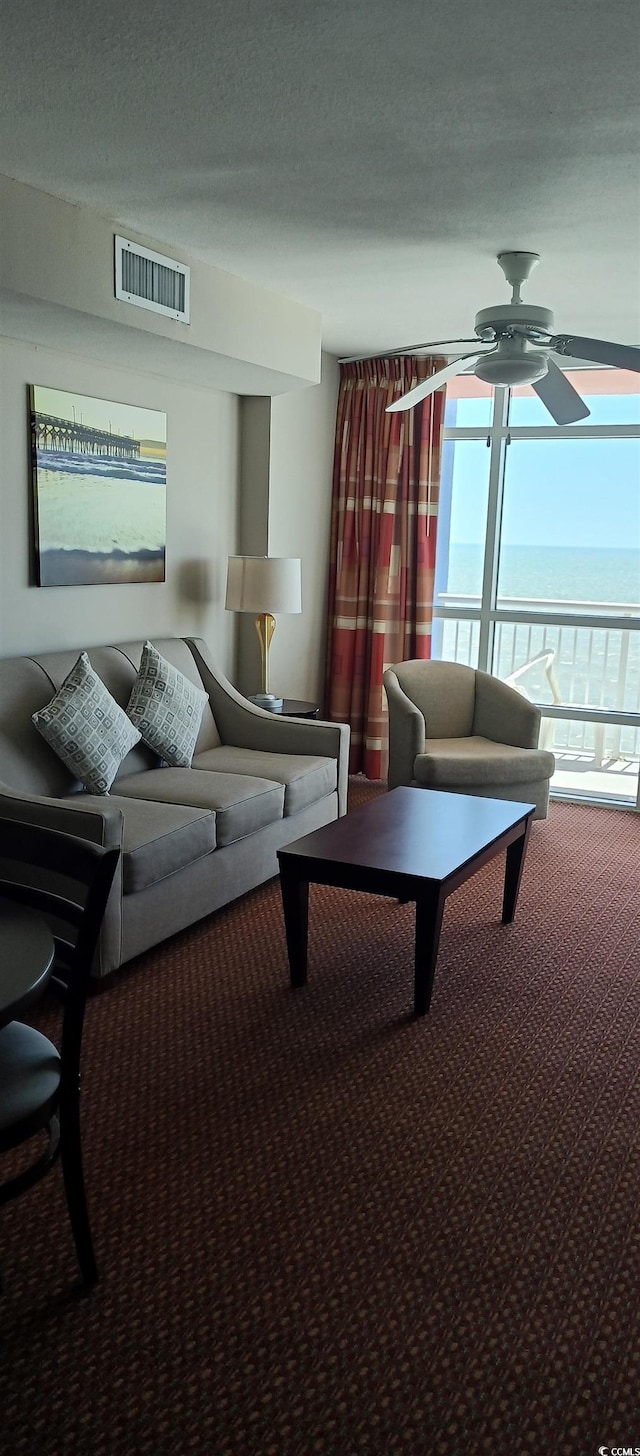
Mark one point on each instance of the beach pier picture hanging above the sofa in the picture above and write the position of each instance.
(100, 490)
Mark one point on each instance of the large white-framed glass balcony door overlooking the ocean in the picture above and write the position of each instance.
(539, 567)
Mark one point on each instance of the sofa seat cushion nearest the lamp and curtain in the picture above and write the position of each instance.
(306, 778)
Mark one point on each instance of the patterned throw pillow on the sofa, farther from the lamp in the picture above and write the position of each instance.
(88, 729)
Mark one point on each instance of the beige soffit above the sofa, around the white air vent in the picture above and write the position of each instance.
(60, 258)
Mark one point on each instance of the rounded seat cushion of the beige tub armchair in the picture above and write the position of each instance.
(476, 761)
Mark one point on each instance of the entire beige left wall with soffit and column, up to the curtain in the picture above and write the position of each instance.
(244, 475)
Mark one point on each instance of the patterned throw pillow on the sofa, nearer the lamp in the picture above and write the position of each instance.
(167, 708)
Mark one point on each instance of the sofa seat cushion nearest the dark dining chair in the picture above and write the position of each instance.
(158, 839)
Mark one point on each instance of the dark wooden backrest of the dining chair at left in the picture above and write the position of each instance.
(69, 882)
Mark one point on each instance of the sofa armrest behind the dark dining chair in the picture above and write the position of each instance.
(101, 826)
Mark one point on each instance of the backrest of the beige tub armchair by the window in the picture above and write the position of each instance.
(444, 692)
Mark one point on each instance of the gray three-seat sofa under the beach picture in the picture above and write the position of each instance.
(191, 839)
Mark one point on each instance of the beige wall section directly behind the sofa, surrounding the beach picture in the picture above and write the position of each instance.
(203, 449)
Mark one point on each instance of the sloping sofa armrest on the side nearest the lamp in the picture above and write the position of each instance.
(245, 726)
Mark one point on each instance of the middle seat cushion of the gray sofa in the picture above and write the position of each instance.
(242, 804)
